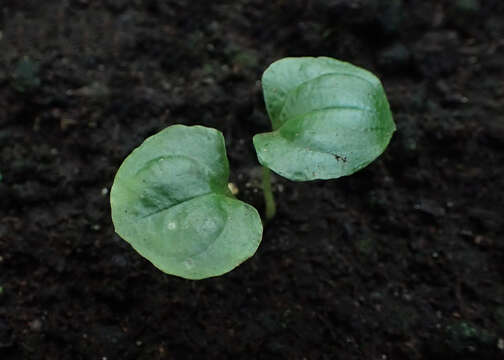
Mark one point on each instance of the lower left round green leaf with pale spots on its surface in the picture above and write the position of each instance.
(171, 202)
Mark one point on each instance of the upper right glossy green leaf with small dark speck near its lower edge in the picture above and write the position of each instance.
(329, 118)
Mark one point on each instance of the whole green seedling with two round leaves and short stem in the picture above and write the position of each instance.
(170, 198)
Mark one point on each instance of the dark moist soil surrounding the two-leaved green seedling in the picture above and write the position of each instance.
(403, 260)
